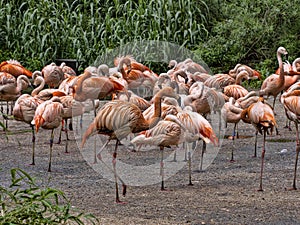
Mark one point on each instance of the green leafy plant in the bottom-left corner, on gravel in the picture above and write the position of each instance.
(23, 202)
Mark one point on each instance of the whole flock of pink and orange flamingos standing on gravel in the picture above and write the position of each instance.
(178, 111)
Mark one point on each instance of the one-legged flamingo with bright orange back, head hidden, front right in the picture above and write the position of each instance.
(261, 116)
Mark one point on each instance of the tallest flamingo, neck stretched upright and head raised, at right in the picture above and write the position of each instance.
(274, 84)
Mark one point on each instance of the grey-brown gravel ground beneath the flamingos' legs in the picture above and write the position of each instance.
(225, 193)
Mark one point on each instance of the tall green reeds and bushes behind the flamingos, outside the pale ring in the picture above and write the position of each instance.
(222, 33)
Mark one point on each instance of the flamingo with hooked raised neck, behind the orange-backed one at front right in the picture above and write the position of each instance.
(236, 90)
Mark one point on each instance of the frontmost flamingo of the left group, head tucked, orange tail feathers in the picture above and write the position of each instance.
(48, 115)
